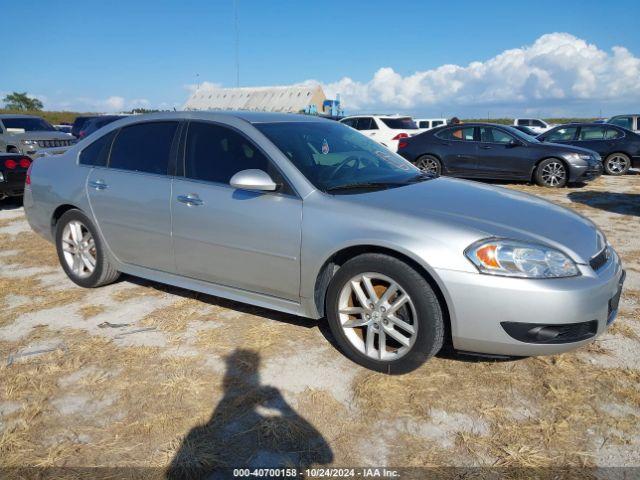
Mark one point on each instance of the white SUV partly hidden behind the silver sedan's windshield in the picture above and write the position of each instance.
(384, 129)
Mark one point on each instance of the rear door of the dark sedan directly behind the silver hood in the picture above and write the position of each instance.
(458, 150)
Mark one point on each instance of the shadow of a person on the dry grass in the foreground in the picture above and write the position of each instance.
(252, 426)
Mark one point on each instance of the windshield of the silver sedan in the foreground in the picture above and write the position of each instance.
(334, 156)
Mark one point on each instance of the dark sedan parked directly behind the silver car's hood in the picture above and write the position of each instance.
(500, 152)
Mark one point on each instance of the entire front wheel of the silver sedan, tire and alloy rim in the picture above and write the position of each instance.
(383, 314)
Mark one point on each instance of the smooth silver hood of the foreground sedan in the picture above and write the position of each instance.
(489, 211)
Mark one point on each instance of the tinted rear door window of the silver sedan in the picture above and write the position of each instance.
(144, 147)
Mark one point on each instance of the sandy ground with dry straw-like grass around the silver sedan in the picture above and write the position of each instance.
(193, 380)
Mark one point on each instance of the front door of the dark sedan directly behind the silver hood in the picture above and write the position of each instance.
(501, 155)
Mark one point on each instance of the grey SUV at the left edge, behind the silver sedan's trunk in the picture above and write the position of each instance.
(26, 134)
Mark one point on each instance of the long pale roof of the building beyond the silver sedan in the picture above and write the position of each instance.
(292, 99)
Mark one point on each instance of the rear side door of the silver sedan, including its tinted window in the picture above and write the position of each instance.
(130, 197)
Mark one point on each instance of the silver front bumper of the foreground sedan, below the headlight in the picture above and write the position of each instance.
(480, 304)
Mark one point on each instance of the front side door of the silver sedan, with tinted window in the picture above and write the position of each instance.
(231, 237)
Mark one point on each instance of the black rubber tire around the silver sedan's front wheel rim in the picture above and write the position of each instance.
(429, 317)
